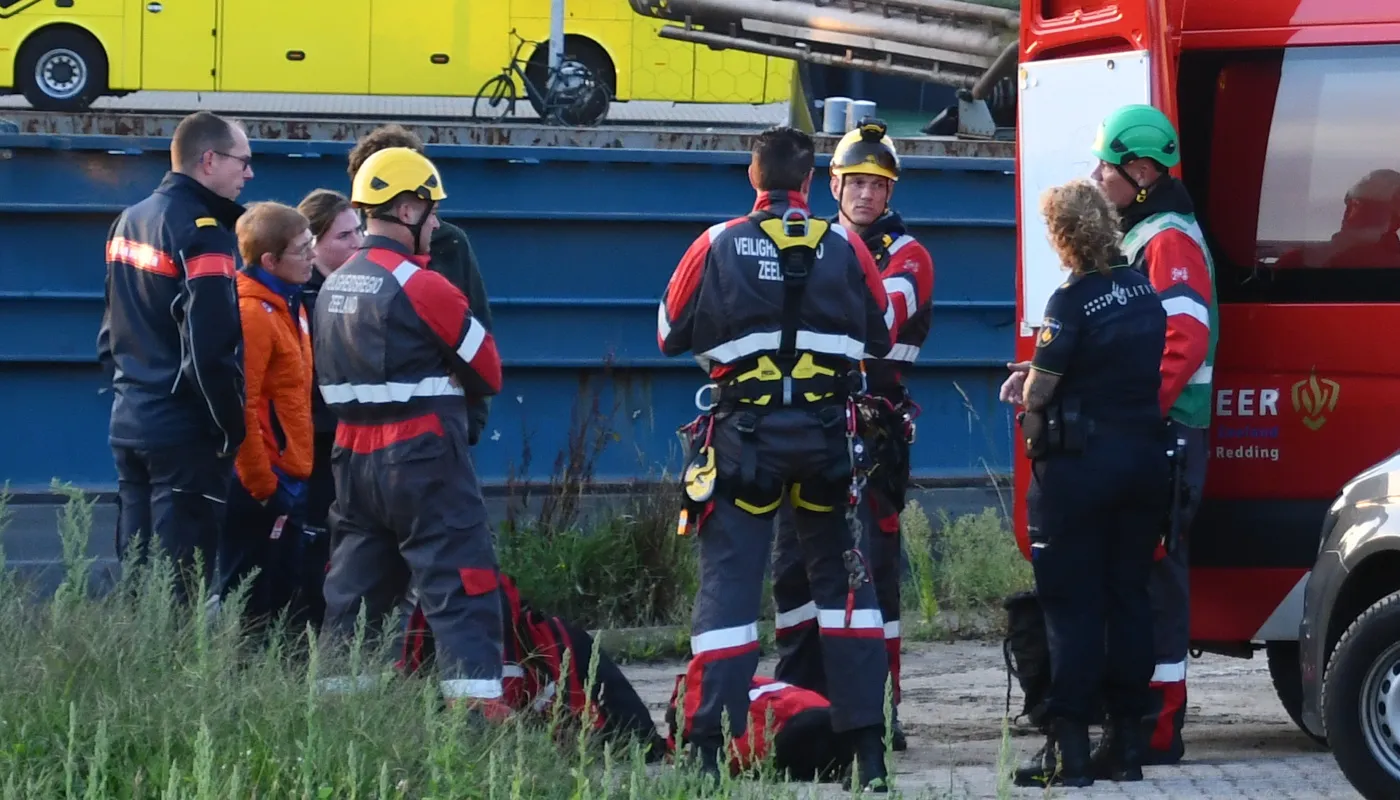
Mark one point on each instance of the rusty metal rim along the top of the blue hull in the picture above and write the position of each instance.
(625, 138)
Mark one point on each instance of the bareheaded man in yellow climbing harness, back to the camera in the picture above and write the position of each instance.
(779, 309)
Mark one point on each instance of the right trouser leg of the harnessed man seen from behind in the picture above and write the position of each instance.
(853, 652)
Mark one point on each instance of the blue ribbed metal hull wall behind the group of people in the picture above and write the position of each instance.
(576, 247)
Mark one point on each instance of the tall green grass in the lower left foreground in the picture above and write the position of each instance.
(131, 697)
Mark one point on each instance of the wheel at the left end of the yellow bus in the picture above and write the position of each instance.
(62, 69)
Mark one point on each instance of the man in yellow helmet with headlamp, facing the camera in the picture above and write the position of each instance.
(864, 170)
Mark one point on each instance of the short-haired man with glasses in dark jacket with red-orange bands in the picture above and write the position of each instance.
(171, 344)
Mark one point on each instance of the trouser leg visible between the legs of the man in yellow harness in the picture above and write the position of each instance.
(799, 641)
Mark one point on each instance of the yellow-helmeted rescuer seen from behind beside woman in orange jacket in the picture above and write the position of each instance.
(398, 358)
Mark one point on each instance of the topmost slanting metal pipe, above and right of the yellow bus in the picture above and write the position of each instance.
(831, 19)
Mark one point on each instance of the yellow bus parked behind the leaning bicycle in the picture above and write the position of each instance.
(62, 55)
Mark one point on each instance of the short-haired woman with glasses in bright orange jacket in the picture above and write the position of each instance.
(267, 504)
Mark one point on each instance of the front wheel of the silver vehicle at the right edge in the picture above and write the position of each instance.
(1361, 701)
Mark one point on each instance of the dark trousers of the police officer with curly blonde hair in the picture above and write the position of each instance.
(1098, 516)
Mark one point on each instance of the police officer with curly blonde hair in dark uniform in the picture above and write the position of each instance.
(1100, 485)
